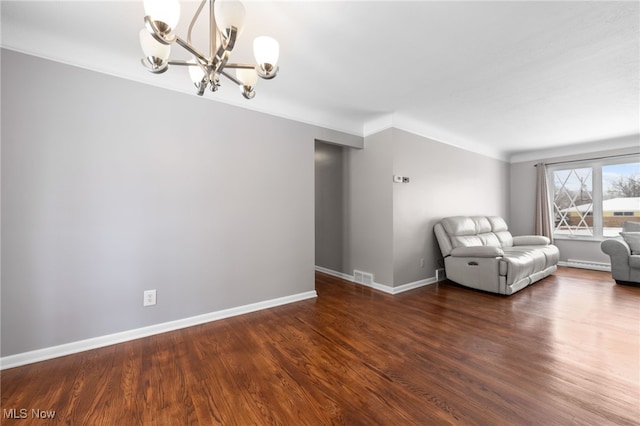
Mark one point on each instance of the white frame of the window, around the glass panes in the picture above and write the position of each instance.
(597, 194)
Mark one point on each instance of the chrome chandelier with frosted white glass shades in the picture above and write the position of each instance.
(226, 18)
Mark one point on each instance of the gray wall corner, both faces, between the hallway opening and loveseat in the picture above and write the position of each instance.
(391, 224)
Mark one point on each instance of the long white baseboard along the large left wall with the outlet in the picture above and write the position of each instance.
(112, 339)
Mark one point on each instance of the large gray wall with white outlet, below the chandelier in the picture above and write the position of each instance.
(111, 187)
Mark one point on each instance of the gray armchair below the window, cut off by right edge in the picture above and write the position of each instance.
(625, 261)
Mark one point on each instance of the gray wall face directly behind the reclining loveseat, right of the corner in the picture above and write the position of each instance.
(444, 181)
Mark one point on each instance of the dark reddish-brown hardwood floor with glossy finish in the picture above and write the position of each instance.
(563, 351)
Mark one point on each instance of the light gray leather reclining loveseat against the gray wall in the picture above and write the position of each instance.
(480, 252)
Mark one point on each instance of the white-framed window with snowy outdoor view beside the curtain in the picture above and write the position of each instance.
(591, 199)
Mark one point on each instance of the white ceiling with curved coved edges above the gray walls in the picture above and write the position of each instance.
(502, 78)
